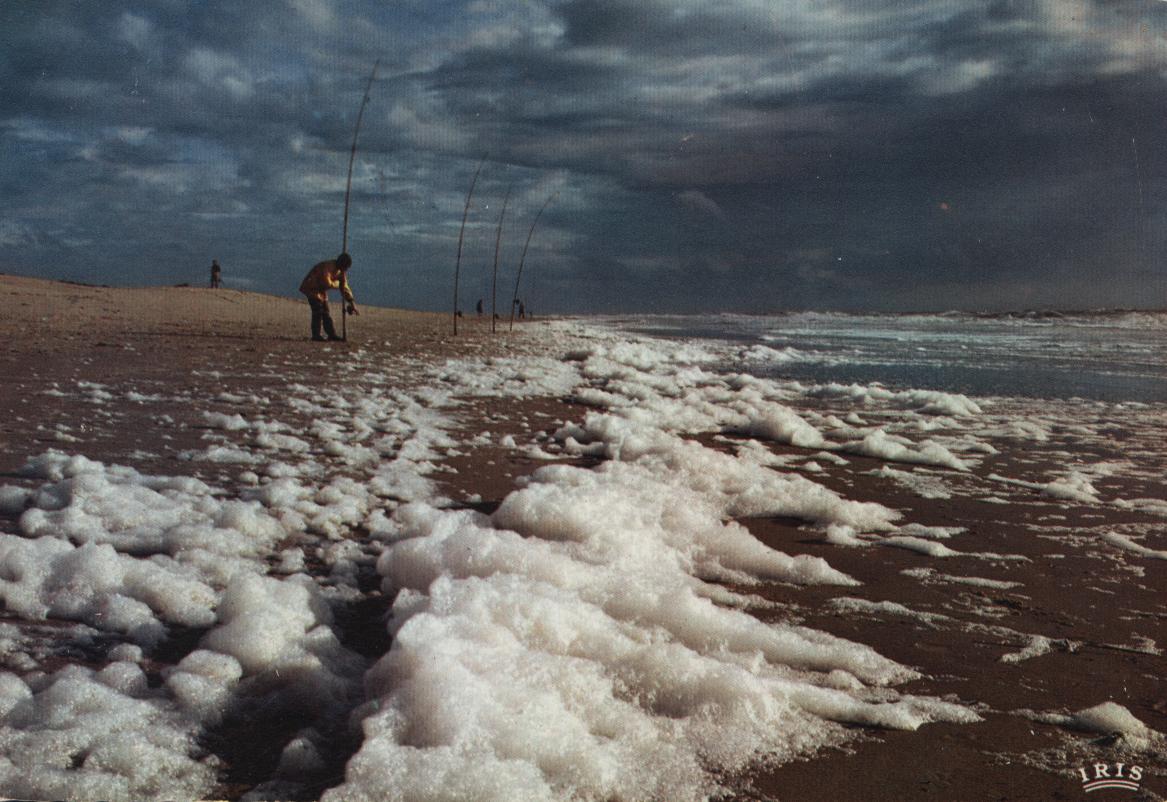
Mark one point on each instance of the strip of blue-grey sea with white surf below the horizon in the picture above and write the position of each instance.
(1098, 355)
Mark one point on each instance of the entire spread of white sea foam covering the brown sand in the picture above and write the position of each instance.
(581, 643)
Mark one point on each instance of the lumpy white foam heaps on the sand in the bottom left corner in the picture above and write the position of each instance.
(155, 554)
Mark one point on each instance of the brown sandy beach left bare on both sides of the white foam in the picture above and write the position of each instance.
(1035, 618)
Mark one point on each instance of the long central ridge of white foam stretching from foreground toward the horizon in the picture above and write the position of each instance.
(582, 641)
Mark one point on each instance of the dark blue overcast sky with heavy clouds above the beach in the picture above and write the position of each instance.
(746, 156)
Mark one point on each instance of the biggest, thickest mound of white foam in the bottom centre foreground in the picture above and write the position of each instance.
(568, 646)
